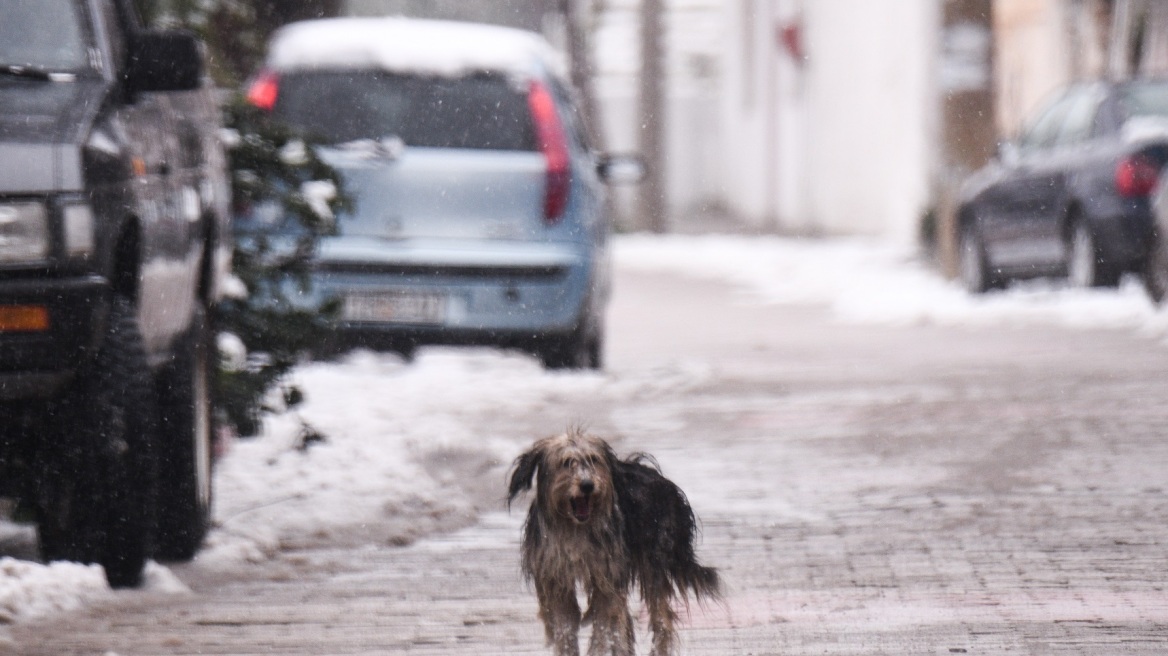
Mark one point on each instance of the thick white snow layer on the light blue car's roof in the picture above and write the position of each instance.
(413, 46)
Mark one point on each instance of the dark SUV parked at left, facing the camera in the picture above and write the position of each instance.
(114, 201)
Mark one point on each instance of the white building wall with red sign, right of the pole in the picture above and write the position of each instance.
(842, 143)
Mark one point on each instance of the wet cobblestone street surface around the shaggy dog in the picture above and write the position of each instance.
(909, 491)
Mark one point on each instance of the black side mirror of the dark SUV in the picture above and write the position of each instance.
(165, 61)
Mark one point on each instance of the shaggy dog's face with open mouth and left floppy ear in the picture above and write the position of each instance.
(574, 477)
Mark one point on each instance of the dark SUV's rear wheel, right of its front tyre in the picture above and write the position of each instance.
(185, 448)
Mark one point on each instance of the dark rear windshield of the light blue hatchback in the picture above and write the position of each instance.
(477, 111)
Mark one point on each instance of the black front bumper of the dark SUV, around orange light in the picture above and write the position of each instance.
(36, 364)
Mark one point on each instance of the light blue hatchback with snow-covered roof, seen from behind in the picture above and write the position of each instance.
(481, 213)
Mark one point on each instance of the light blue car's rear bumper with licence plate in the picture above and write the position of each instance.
(498, 294)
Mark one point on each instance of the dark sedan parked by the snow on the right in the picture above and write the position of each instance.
(1073, 196)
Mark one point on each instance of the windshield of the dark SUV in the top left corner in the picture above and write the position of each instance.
(45, 34)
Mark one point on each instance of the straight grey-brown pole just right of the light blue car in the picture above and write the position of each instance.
(653, 117)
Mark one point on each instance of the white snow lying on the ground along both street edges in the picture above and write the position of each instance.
(398, 432)
